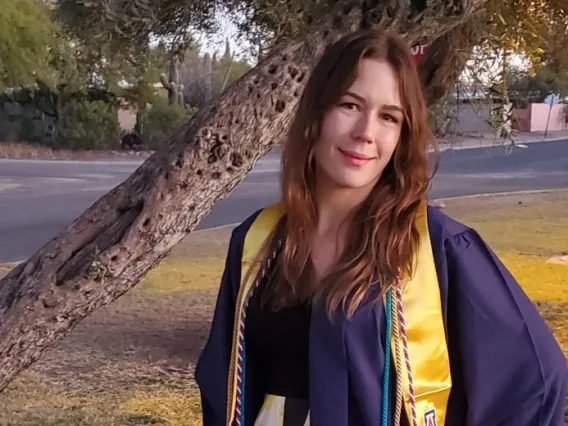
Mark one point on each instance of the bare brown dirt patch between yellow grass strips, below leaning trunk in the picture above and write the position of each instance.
(126, 343)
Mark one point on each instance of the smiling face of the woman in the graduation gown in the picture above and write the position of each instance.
(359, 134)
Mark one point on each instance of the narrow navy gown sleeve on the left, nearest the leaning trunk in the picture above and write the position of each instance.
(211, 372)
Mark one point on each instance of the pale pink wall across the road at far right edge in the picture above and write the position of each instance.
(535, 116)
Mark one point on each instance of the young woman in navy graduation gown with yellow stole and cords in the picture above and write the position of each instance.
(352, 302)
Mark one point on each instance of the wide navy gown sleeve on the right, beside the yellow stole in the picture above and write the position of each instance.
(513, 370)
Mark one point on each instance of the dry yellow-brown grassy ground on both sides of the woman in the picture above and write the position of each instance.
(131, 363)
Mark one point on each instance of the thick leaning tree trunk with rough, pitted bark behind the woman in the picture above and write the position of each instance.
(109, 248)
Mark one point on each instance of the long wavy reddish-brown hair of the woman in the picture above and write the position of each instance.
(382, 237)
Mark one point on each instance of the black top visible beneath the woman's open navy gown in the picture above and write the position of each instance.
(278, 343)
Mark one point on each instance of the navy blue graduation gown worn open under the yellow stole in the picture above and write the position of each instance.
(507, 368)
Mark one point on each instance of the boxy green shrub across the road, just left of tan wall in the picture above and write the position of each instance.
(88, 125)
